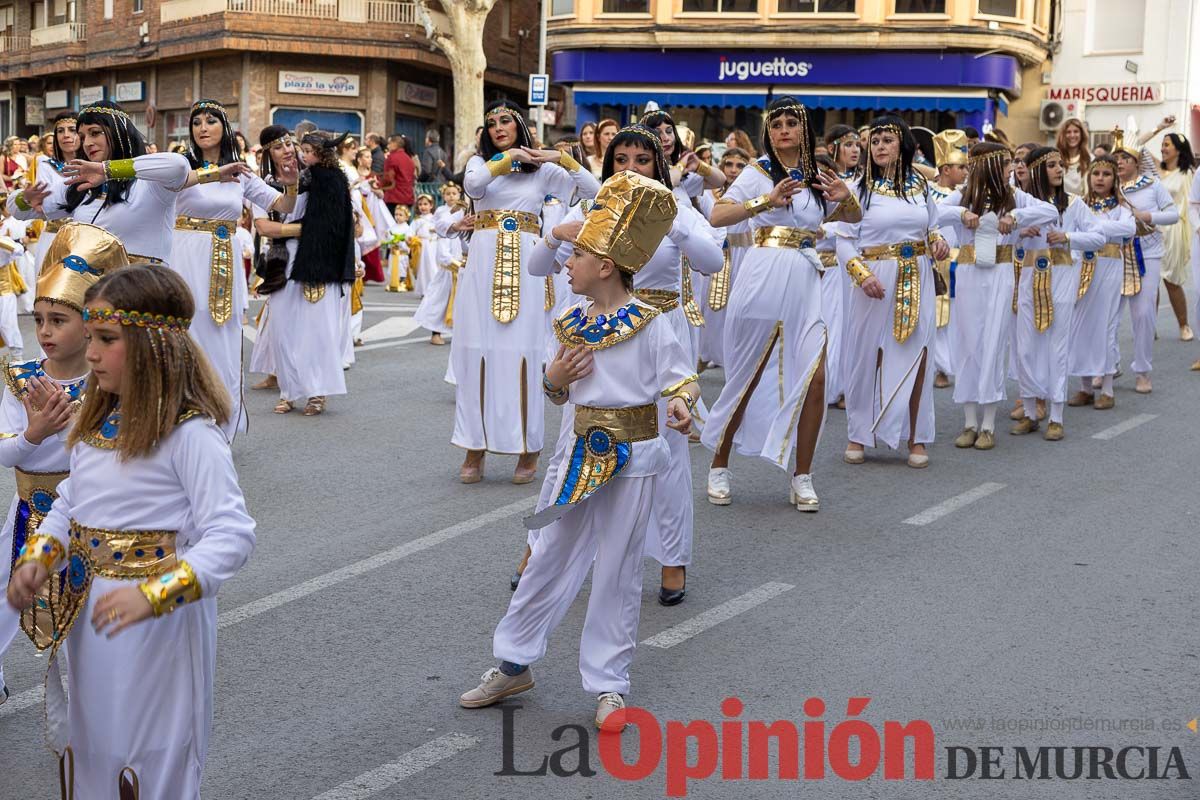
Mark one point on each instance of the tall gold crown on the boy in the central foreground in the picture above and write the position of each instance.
(628, 221)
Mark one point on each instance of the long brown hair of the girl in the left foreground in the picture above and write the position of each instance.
(166, 374)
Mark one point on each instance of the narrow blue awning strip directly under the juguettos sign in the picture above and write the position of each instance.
(817, 98)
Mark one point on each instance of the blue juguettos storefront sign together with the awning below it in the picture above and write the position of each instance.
(963, 83)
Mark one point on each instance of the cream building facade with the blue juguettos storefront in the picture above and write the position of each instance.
(938, 63)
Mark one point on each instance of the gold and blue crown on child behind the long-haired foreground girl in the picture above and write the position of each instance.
(80, 256)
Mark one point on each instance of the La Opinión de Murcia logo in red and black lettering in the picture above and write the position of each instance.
(851, 750)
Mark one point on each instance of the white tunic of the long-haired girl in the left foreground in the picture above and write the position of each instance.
(143, 700)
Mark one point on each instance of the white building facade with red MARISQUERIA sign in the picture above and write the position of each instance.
(1129, 62)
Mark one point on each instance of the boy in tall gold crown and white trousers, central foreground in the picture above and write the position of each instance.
(616, 359)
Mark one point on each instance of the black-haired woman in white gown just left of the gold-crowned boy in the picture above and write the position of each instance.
(500, 318)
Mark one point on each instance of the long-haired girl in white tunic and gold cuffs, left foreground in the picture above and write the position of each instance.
(149, 525)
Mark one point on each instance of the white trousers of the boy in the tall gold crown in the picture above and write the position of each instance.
(608, 530)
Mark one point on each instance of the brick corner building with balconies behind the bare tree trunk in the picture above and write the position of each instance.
(346, 65)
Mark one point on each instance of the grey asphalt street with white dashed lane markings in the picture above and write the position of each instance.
(1046, 590)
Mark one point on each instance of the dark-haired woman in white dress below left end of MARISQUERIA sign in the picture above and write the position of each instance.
(1048, 293)
